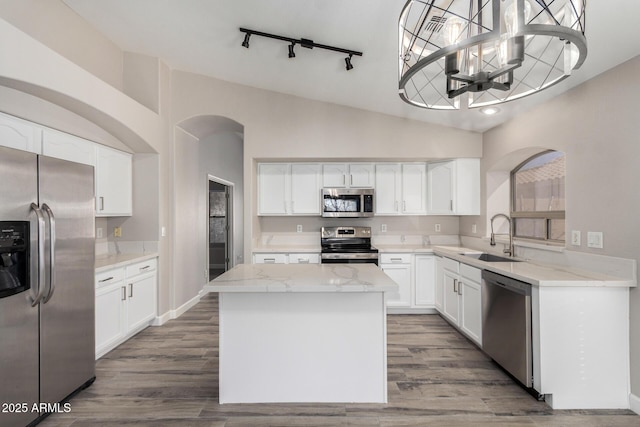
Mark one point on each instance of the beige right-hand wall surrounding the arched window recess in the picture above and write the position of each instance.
(597, 125)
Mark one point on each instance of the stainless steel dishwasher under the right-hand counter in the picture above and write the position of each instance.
(506, 324)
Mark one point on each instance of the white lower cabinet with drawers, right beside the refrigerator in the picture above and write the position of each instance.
(125, 303)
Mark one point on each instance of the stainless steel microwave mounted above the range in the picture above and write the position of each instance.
(347, 202)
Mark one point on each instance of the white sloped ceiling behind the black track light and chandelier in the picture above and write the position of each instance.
(202, 36)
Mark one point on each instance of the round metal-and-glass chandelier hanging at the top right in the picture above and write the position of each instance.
(457, 54)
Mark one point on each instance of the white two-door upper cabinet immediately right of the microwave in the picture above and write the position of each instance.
(401, 188)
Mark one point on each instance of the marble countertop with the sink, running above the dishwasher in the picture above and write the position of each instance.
(537, 274)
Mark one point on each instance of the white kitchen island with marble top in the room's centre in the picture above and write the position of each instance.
(302, 333)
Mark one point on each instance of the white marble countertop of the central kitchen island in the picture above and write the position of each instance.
(303, 278)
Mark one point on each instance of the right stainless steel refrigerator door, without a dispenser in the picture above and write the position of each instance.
(67, 317)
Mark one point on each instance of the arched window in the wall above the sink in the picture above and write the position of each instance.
(538, 198)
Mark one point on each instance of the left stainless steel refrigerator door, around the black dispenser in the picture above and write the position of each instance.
(18, 319)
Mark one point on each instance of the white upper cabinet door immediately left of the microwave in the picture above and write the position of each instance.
(305, 189)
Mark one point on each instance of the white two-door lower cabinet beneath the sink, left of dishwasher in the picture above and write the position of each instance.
(460, 287)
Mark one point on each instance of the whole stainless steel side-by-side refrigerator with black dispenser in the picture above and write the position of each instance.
(47, 293)
